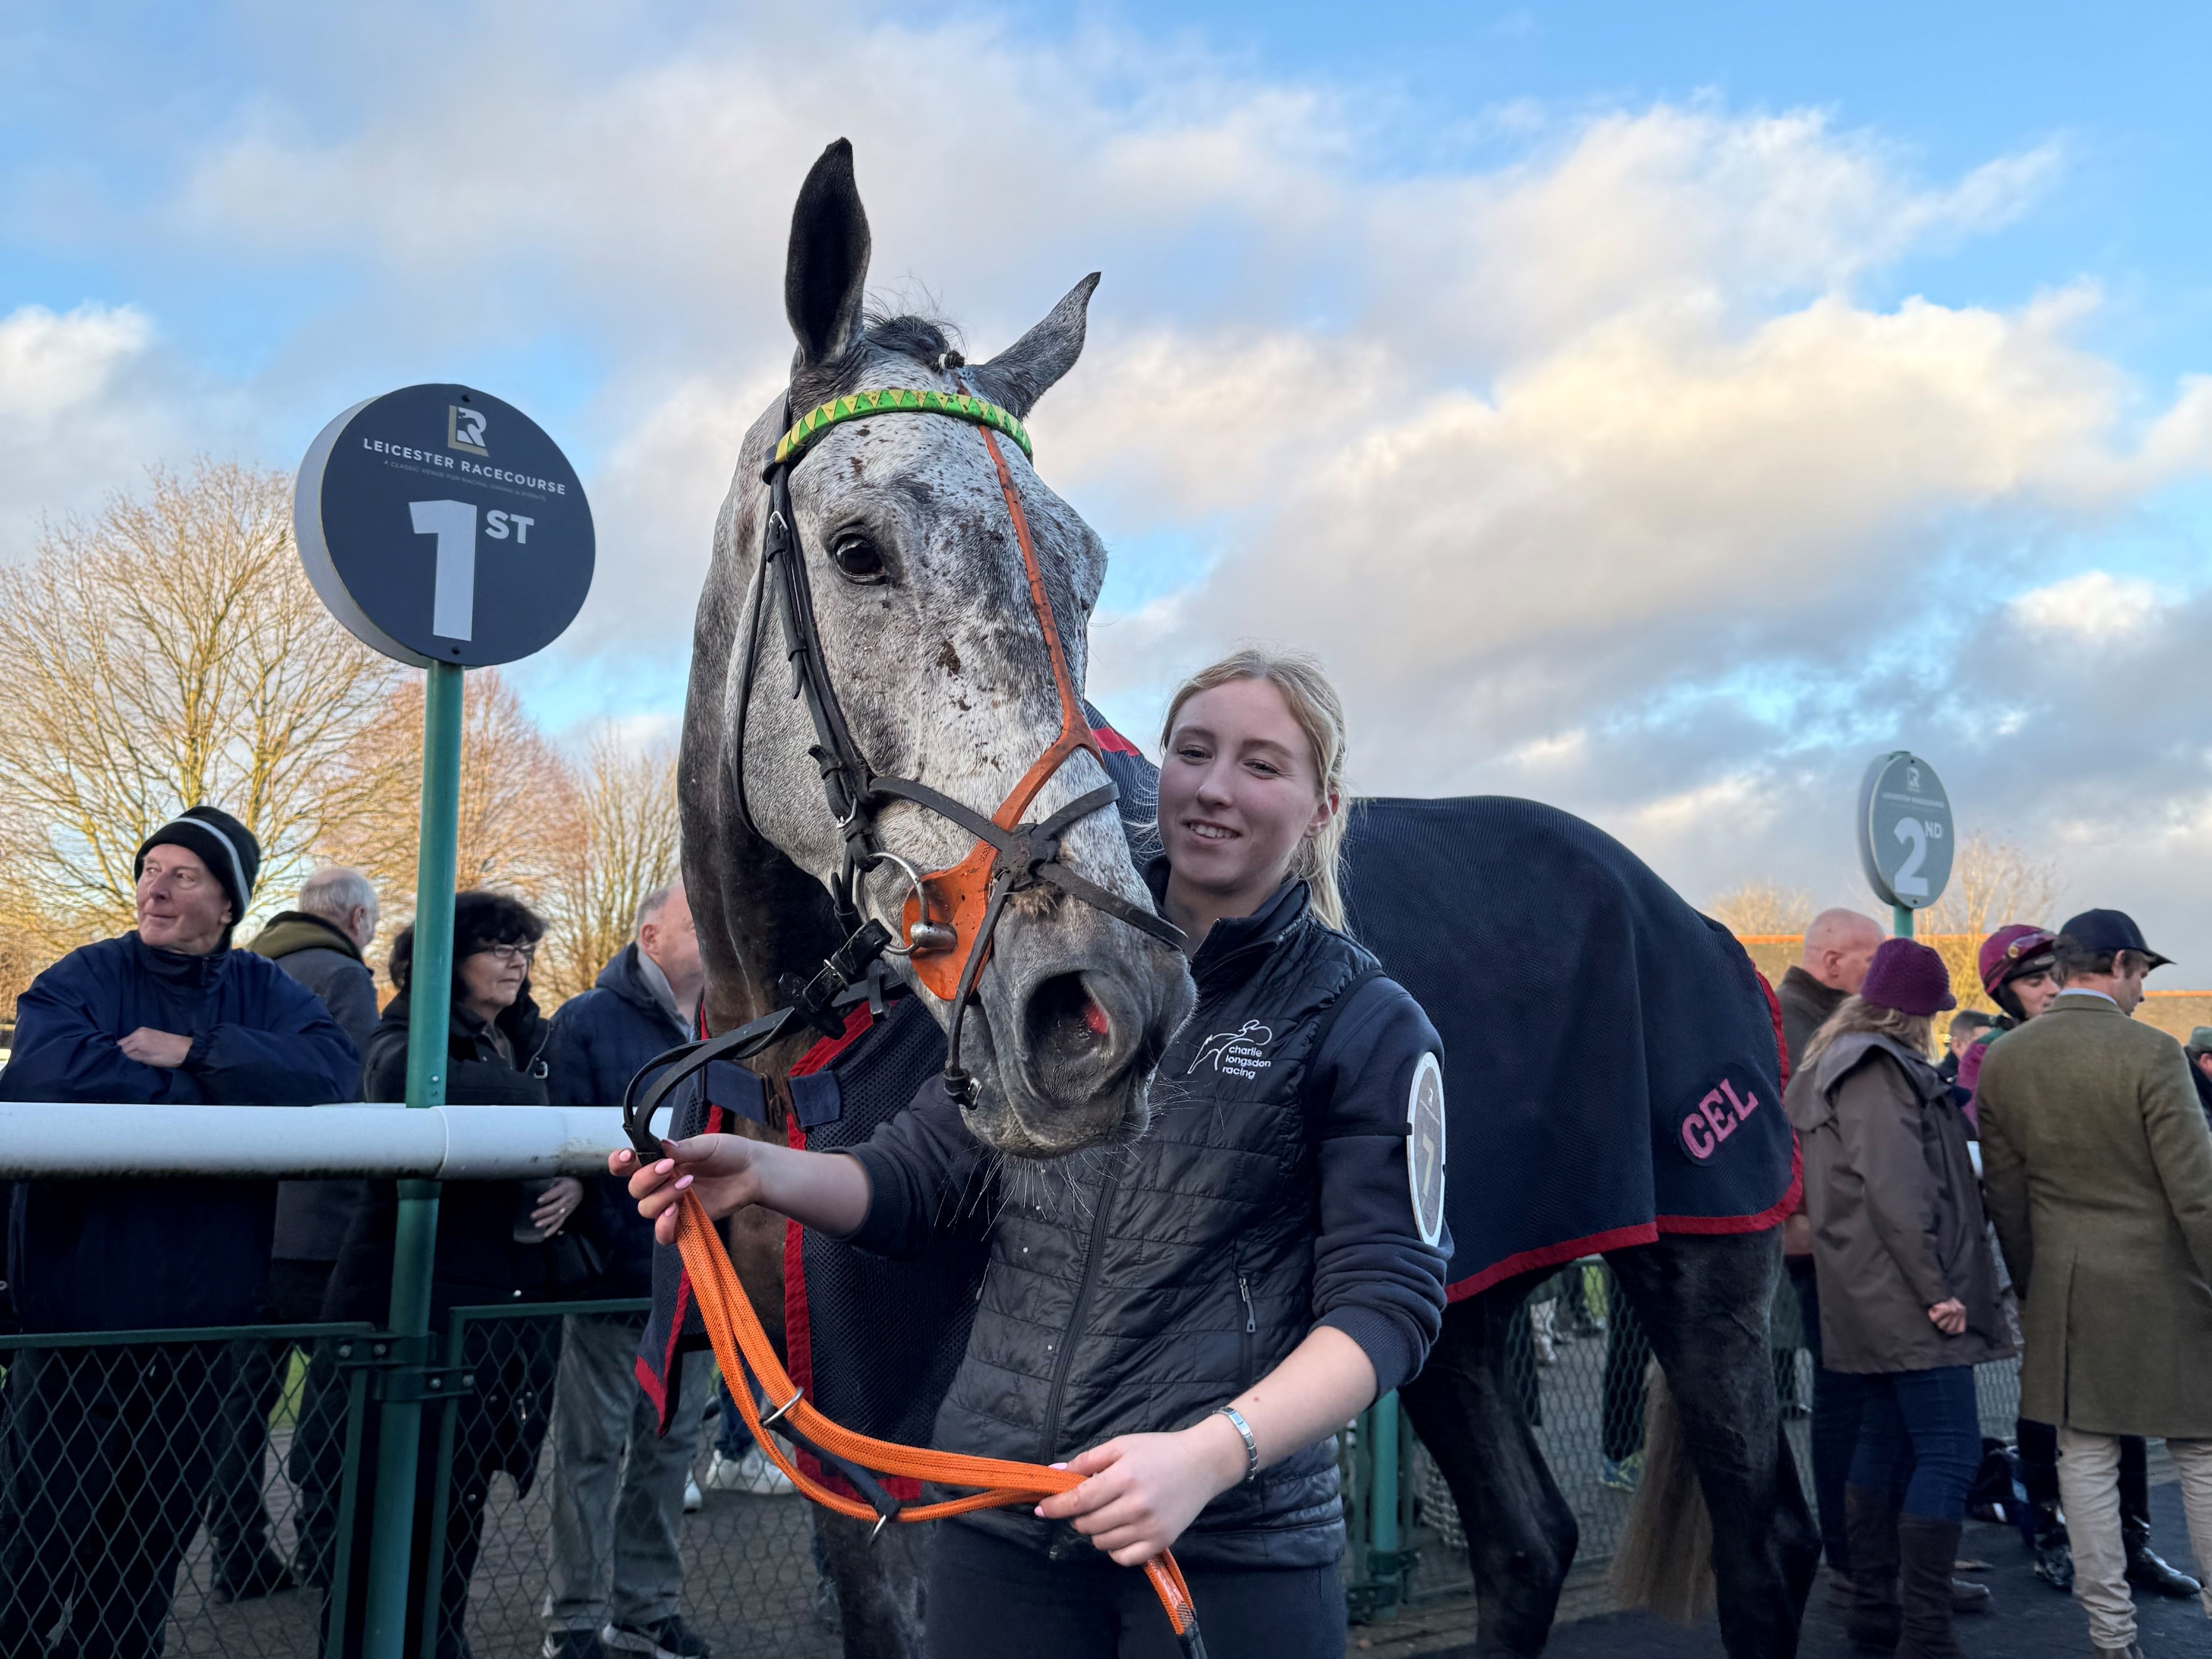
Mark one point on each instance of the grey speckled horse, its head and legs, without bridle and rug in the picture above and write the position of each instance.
(932, 640)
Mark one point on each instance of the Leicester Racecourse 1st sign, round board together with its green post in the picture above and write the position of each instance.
(406, 508)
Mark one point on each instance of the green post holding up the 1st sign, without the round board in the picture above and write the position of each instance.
(430, 1005)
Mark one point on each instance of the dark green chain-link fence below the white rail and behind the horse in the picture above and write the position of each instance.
(231, 1465)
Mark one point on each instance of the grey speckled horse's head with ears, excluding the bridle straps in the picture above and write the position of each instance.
(941, 669)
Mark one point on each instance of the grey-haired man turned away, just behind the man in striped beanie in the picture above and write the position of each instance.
(322, 948)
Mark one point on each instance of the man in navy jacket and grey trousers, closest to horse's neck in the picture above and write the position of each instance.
(609, 1459)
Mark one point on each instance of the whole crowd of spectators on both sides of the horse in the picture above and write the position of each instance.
(2041, 1189)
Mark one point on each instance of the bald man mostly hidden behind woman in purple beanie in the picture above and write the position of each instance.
(1839, 946)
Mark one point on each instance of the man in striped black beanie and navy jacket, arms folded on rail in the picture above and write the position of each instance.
(112, 1448)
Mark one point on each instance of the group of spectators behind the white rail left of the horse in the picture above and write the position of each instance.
(118, 1454)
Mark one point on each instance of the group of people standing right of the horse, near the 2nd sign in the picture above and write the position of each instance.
(2045, 1189)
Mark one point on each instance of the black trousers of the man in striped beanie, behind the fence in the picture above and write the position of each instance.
(107, 1457)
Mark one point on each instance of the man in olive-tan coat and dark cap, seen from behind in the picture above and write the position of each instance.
(2098, 1167)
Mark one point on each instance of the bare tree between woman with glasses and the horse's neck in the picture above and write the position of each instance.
(623, 844)
